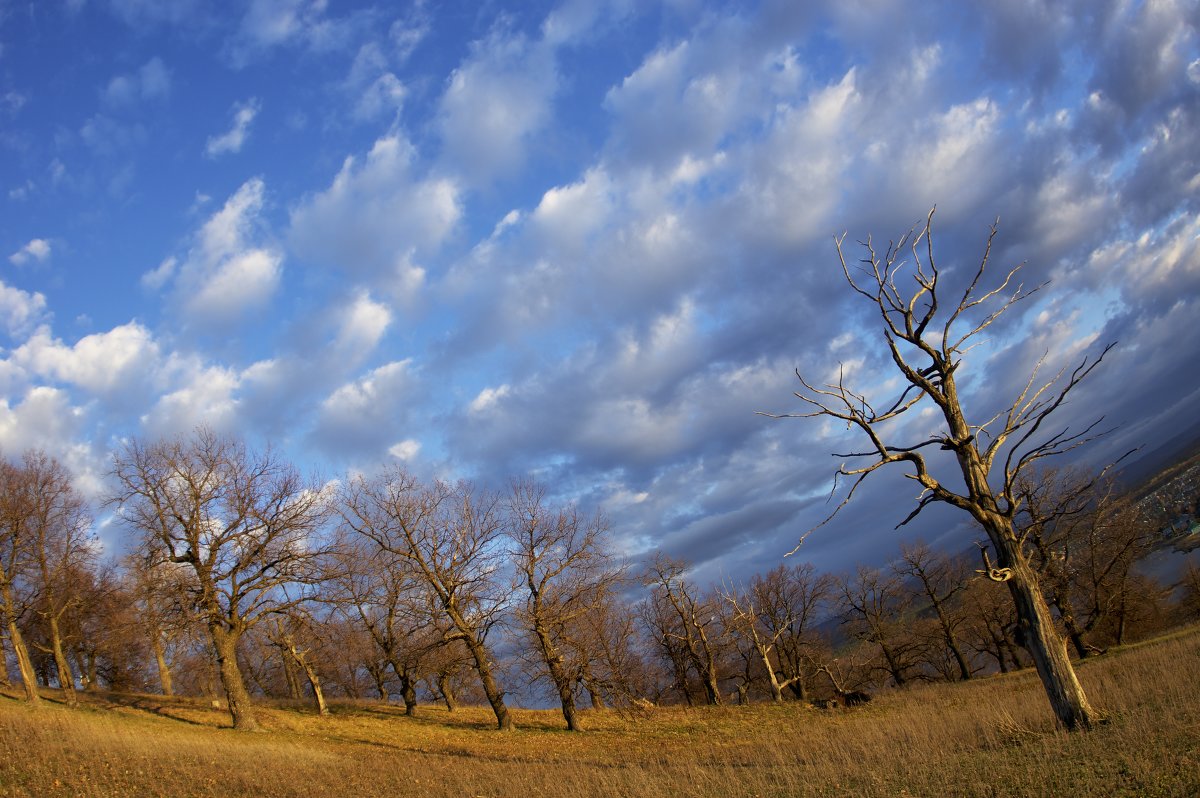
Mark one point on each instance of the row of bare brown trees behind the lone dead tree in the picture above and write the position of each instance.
(245, 578)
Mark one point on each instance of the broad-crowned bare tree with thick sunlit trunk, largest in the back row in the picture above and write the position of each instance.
(247, 524)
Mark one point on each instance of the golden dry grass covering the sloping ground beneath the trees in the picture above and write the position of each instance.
(995, 737)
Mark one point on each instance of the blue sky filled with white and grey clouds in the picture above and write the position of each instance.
(585, 243)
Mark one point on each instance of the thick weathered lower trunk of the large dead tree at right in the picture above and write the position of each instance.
(1042, 640)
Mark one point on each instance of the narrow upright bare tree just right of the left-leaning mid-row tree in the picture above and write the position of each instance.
(566, 574)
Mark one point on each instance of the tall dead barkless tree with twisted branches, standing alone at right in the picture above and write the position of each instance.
(927, 339)
